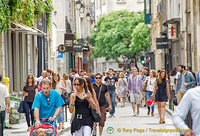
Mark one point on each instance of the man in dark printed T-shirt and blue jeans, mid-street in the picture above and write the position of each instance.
(111, 81)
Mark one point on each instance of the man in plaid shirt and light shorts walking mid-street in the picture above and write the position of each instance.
(134, 88)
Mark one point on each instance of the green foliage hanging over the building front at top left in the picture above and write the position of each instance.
(24, 11)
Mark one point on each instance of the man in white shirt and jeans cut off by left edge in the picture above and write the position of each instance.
(4, 96)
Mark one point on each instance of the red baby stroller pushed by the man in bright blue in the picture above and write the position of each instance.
(50, 130)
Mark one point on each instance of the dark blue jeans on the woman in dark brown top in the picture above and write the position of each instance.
(28, 109)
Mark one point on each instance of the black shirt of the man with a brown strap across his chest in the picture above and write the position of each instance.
(102, 98)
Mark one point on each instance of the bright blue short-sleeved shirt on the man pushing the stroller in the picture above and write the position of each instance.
(46, 109)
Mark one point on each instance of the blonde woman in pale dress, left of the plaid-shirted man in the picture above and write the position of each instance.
(121, 88)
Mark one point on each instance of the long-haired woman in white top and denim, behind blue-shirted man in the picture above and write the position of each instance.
(59, 86)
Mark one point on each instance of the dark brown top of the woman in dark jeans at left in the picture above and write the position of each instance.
(31, 93)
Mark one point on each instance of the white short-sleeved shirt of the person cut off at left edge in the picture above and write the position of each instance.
(3, 95)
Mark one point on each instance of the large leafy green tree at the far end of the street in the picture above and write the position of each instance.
(114, 36)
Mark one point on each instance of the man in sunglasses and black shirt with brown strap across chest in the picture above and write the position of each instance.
(102, 95)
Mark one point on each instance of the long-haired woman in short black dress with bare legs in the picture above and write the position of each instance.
(162, 94)
